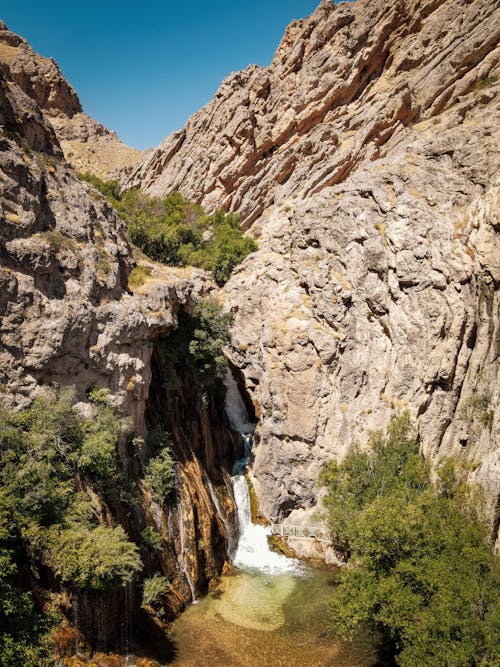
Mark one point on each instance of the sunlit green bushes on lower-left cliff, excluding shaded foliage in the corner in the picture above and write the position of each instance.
(49, 456)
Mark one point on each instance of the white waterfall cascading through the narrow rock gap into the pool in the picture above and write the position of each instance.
(253, 548)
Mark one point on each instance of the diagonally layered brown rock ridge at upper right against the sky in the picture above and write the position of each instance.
(344, 85)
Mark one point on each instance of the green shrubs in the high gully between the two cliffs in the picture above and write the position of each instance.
(177, 232)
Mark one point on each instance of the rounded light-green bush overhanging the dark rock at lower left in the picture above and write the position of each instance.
(97, 558)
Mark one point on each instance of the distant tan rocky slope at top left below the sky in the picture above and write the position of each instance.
(87, 145)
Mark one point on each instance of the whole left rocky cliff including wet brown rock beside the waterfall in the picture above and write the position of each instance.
(69, 318)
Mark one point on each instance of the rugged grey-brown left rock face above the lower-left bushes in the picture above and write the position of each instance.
(67, 315)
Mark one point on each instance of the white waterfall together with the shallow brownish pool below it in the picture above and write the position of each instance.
(273, 612)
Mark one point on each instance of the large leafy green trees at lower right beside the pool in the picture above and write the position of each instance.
(421, 569)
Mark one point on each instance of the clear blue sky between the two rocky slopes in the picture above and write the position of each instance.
(142, 68)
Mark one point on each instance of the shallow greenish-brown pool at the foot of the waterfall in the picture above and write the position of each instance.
(260, 620)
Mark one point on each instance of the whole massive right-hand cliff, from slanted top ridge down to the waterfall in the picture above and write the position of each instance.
(365, 160)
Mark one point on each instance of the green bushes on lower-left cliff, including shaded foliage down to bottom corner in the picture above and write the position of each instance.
(53, 466)
